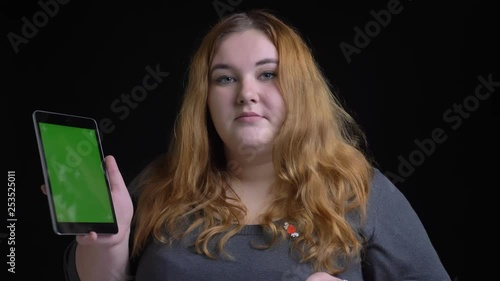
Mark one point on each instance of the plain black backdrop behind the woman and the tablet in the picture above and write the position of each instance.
(425, 61)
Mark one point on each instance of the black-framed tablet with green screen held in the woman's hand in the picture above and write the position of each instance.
(74, 171)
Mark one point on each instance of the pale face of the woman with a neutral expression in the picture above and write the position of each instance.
(243, 80)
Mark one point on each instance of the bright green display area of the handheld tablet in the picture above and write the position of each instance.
(77, 181)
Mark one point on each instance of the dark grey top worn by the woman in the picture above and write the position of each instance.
(397, 249)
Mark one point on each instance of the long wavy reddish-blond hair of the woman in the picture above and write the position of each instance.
(322, 172)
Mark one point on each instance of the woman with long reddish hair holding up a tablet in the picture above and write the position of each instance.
(265, 179)
